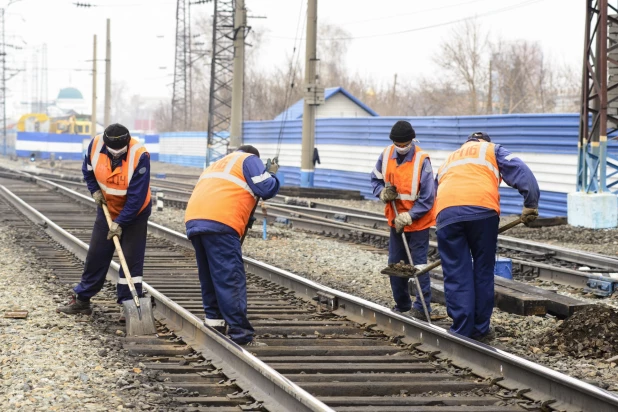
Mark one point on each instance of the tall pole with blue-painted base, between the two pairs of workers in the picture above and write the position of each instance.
(308, 141)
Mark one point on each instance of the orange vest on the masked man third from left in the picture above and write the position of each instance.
(407, 178)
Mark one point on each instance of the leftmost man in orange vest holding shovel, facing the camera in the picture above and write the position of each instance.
(116, 169)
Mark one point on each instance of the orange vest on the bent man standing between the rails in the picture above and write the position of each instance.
(222, 194)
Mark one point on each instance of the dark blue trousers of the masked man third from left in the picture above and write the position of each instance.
(418, 243)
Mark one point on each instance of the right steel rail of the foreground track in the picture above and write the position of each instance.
(532, 381)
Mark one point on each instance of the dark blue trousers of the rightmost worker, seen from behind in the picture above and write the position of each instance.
(468, 252)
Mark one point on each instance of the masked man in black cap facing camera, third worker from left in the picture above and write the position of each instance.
(408, 170)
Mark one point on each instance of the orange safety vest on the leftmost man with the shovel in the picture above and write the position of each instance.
(114, 184)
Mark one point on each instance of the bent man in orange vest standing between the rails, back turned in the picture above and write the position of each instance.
(216, 219)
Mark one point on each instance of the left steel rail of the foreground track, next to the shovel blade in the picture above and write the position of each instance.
(266, 385)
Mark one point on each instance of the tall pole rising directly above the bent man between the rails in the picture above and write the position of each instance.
(240, 22)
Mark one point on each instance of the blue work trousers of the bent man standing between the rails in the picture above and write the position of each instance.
(224, 283)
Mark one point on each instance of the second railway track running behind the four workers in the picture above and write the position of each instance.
(531, 260)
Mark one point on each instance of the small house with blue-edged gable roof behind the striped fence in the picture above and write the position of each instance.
(338, 102)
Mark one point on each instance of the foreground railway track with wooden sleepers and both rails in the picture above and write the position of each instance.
(349, 354)
